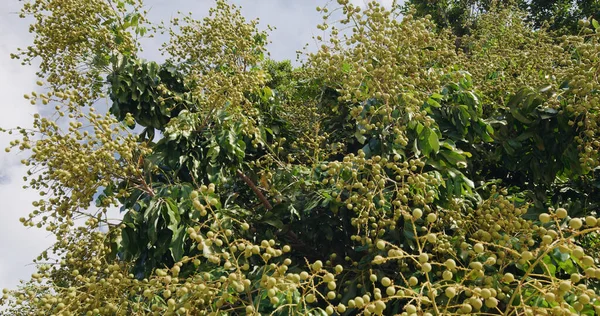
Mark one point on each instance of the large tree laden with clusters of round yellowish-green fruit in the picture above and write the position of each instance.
(392, 172)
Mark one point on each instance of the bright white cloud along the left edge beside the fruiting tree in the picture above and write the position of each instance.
(18, 244)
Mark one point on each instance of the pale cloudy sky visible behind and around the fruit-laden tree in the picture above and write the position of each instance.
(295, 22)
